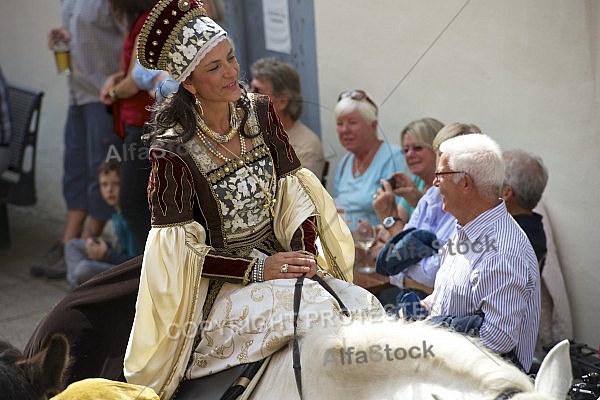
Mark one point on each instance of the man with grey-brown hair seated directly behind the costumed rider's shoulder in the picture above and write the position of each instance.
(280, 81)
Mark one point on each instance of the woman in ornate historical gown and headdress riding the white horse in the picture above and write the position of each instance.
(235, 218)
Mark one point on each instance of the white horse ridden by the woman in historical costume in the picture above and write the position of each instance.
(394, 360)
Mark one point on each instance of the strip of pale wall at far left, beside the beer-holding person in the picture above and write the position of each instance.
(26, 61)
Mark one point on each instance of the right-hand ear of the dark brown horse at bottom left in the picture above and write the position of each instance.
(46, 369)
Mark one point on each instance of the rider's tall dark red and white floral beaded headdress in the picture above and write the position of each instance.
(176, 35)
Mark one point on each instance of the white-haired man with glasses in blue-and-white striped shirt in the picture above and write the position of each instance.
(488, 265)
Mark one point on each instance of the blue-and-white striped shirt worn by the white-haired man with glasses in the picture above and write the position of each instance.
(489, 264)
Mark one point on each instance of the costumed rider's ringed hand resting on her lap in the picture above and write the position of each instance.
(290, 265)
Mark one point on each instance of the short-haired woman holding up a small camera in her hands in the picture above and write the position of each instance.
(417, 147)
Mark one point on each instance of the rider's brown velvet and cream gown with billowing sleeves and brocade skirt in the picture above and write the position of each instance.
(197, 311)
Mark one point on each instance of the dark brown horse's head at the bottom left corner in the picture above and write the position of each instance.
(35, 378)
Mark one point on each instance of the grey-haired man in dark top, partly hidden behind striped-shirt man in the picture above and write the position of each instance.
(525, 178)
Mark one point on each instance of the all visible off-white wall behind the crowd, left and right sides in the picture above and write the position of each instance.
(524, 71)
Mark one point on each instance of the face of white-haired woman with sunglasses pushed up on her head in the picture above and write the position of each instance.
(354, 132)
